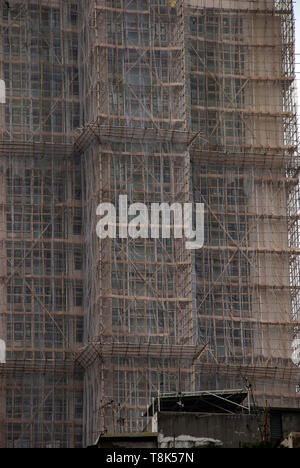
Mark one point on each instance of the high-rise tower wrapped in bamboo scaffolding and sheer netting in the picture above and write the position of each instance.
(166, 102)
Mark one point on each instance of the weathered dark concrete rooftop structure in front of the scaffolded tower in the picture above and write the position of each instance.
(203, 430)
